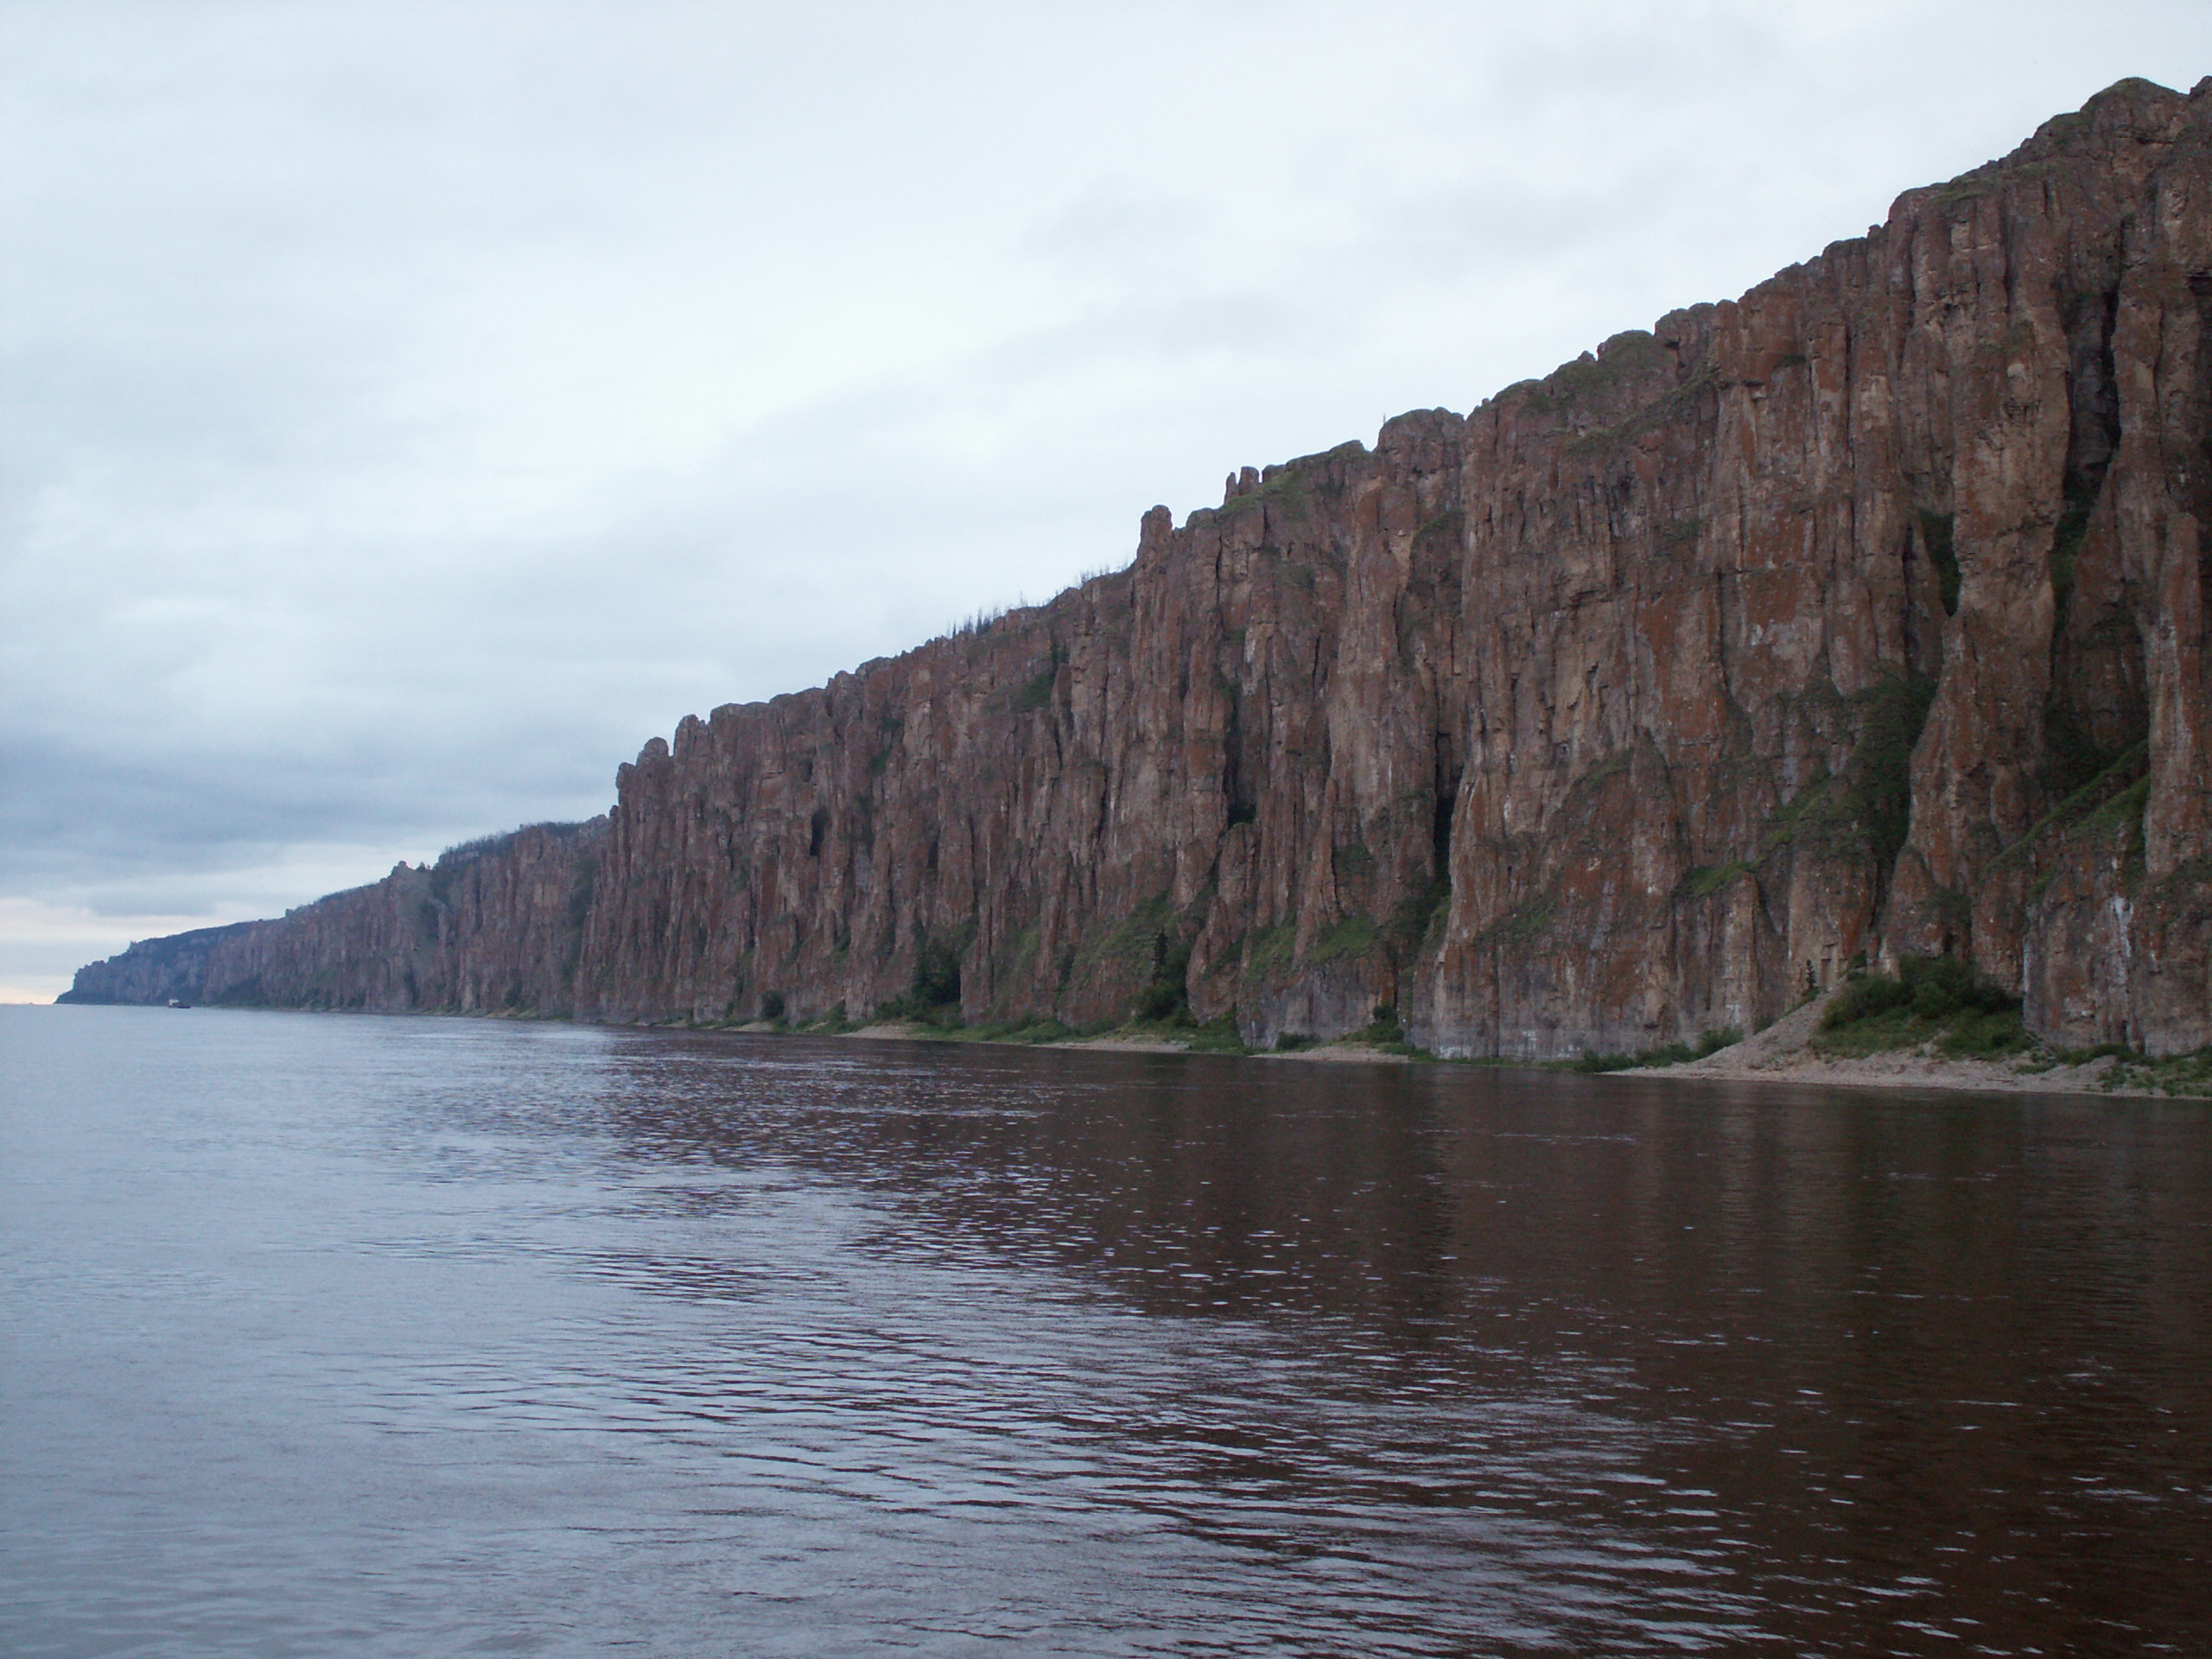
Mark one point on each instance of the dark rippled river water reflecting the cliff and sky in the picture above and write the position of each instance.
(435, 1337)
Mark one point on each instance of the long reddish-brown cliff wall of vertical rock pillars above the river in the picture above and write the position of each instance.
(1859, 616)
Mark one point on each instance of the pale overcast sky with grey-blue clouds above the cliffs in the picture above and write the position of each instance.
(410, 410)
